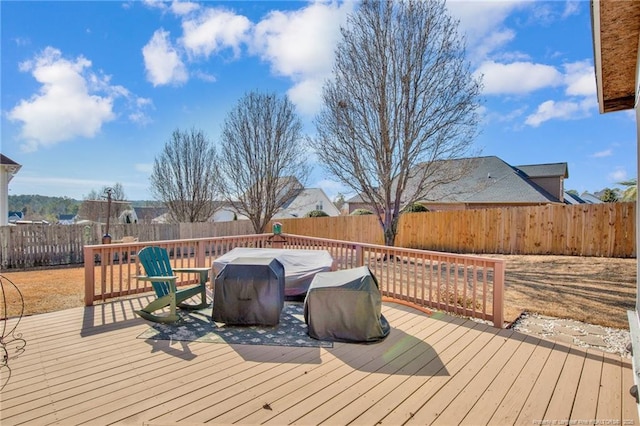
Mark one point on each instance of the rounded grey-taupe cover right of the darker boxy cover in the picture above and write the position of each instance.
(345, 306)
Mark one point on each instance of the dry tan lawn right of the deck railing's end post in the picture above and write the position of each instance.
(595, 290)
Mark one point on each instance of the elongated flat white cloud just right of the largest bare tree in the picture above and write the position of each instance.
(517, 77)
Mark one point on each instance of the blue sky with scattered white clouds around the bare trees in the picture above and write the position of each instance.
(91, 91)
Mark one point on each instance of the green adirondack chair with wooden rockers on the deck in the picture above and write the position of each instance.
(157, 267)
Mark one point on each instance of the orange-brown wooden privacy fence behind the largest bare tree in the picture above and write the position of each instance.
(606, 230)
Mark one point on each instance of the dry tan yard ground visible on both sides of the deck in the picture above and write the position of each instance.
(593, 290)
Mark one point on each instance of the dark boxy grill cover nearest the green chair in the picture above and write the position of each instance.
(249, 291)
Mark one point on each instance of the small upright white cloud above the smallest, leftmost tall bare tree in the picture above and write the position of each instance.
(162, 61)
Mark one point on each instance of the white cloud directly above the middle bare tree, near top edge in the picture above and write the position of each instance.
(214, 30)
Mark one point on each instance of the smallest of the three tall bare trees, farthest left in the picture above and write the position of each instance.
(184, 176)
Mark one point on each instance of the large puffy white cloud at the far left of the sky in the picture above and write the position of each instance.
(67, 105)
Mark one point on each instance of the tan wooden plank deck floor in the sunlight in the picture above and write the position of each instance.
(86, 365)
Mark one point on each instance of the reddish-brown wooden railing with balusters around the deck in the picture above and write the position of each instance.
(471, 286)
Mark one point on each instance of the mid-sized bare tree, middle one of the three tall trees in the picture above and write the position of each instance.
(263, 159)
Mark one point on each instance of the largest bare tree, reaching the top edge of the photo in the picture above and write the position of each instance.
(402, 98)
